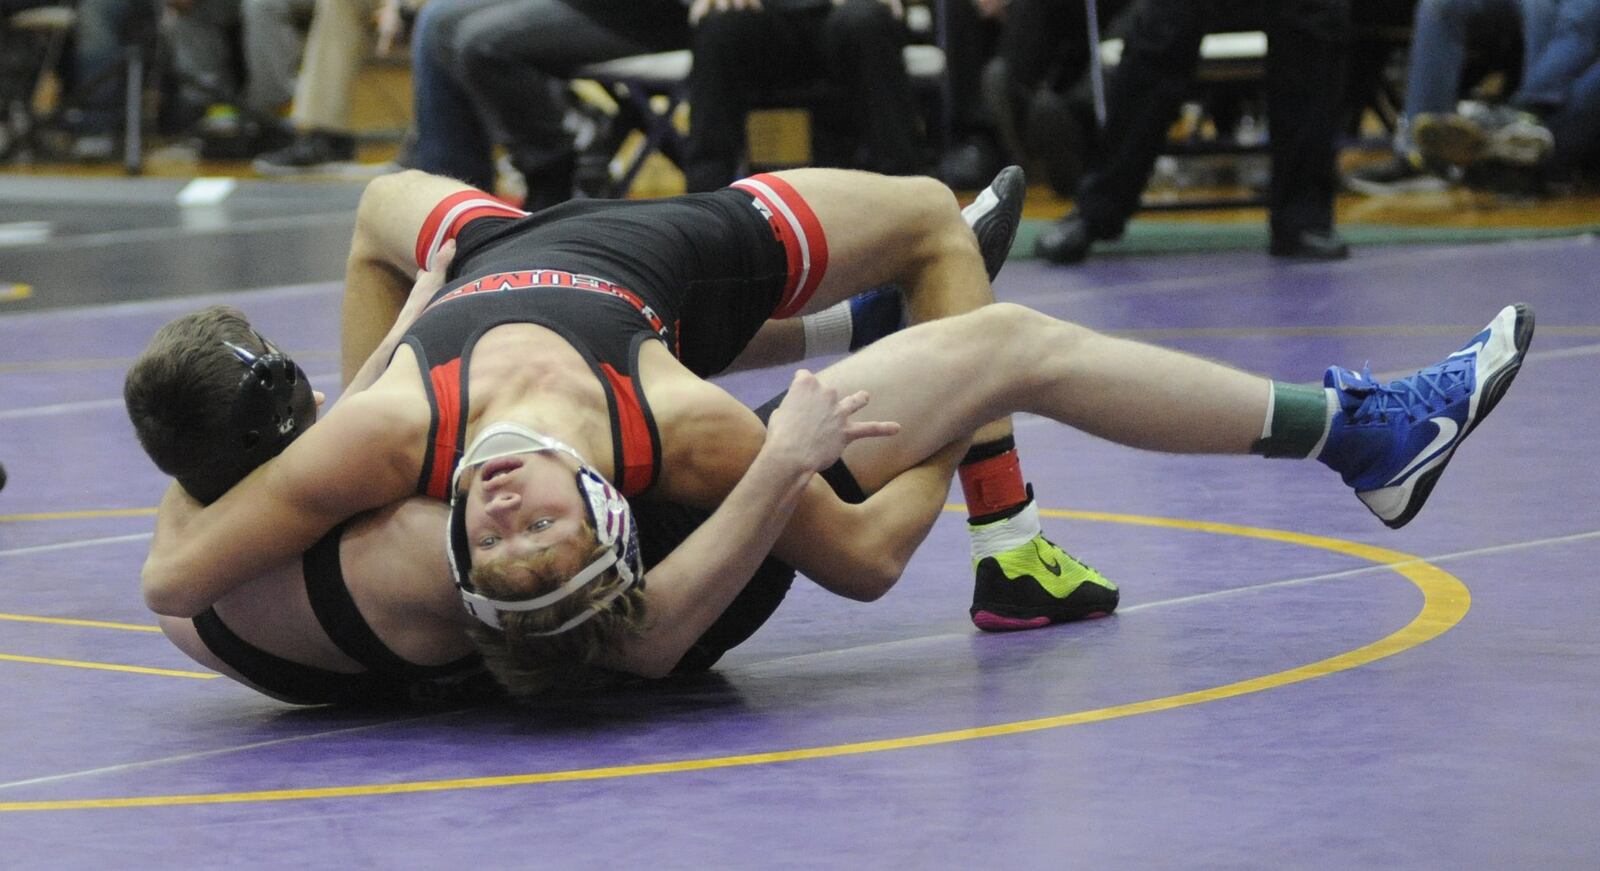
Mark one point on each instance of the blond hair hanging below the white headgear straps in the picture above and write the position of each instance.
(529, 664)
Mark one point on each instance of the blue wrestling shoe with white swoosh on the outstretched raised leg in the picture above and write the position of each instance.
(1393, 441)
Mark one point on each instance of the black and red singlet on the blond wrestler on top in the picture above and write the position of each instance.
(700, 273)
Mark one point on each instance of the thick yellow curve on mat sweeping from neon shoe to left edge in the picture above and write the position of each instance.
(1446, 601)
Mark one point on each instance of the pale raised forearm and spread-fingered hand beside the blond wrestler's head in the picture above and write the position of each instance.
(694, 585)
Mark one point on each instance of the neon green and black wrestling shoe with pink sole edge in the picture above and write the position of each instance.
(1025, 584)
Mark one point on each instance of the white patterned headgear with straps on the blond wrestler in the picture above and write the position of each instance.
(609, 515)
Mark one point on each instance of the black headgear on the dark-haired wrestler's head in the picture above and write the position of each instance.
(271, 409)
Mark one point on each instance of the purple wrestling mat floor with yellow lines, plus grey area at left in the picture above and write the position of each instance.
(1289, 684)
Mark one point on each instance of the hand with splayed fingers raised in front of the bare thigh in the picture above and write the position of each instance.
(812, 427)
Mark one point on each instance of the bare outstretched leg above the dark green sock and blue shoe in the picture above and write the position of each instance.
(1012, 359)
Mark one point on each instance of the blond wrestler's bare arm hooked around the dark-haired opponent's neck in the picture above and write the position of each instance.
(362, 456)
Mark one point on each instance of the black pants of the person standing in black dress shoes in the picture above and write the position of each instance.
(1308, 42)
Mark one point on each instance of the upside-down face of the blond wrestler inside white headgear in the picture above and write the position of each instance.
(522, 505)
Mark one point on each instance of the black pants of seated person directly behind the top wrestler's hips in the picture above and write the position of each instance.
(854, 49)
